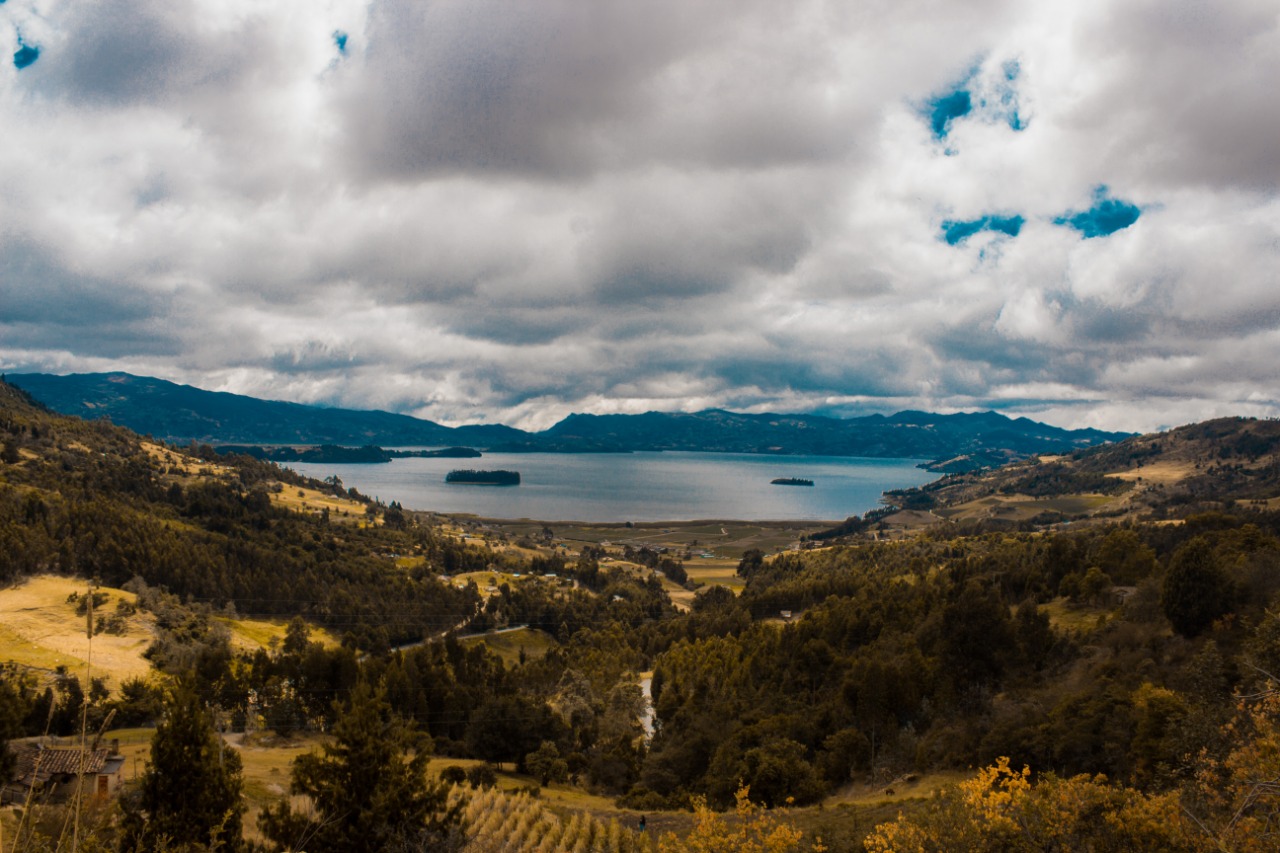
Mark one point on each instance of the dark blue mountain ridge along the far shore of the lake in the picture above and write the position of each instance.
(182, 413)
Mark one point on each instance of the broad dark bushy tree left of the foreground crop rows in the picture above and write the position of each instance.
(369, 788)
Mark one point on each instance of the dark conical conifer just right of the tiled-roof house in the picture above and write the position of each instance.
(191, 791)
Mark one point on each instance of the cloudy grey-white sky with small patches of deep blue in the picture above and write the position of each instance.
(499, 212)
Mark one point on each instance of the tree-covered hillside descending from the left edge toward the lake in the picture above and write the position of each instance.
(95, 500)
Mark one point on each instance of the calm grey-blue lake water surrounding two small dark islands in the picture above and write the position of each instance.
(637, 487)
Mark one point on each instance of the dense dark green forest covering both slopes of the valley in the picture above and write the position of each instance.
(1128, 660)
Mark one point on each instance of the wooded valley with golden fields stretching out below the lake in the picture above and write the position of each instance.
(1086, 613)
